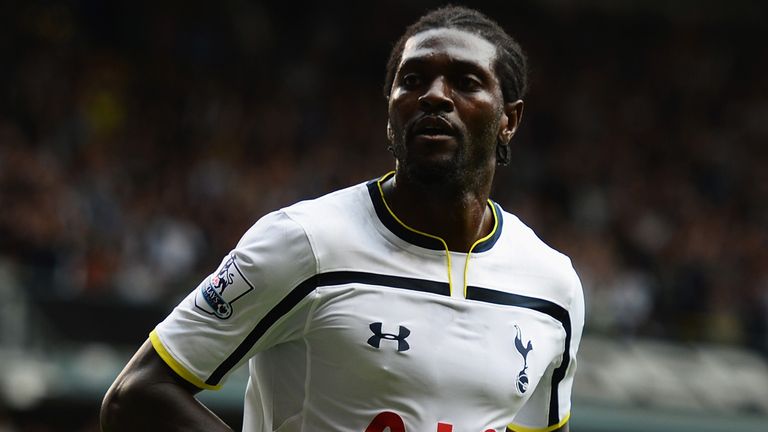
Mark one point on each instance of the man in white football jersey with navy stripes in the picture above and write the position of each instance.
(408, 303)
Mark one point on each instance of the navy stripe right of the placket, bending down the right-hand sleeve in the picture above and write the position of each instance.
(547, 307)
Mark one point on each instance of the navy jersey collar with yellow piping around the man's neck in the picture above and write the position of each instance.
(419, 238)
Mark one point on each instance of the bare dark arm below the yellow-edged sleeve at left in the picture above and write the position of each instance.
(149, 396)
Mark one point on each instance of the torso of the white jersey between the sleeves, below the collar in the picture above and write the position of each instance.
(386, 339)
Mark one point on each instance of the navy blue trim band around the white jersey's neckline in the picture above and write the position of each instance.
(417, 239)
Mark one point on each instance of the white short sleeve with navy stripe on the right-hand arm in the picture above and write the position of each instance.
(549, 407)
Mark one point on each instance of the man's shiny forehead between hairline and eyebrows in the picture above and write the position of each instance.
(456, 45)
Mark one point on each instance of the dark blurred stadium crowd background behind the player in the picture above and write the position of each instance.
(139, 140)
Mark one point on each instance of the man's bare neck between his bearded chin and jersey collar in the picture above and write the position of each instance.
(460, 216)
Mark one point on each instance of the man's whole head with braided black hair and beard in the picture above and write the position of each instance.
(454, 82)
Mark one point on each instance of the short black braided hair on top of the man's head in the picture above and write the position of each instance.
(511, 64)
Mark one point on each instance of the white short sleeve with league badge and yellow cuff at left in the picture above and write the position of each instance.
(255, 299)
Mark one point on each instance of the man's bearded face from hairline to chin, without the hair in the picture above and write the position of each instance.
(446, 108)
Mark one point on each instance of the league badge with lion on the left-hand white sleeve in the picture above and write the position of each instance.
(221, 289)
